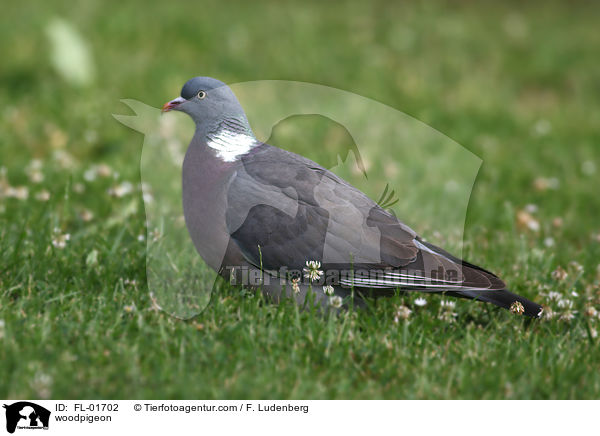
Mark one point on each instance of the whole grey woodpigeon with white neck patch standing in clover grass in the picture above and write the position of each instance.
(257, 212)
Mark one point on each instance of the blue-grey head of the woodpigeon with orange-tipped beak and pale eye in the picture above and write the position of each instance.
(207, 101)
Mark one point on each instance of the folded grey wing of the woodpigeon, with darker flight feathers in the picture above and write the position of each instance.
(284, 210)
